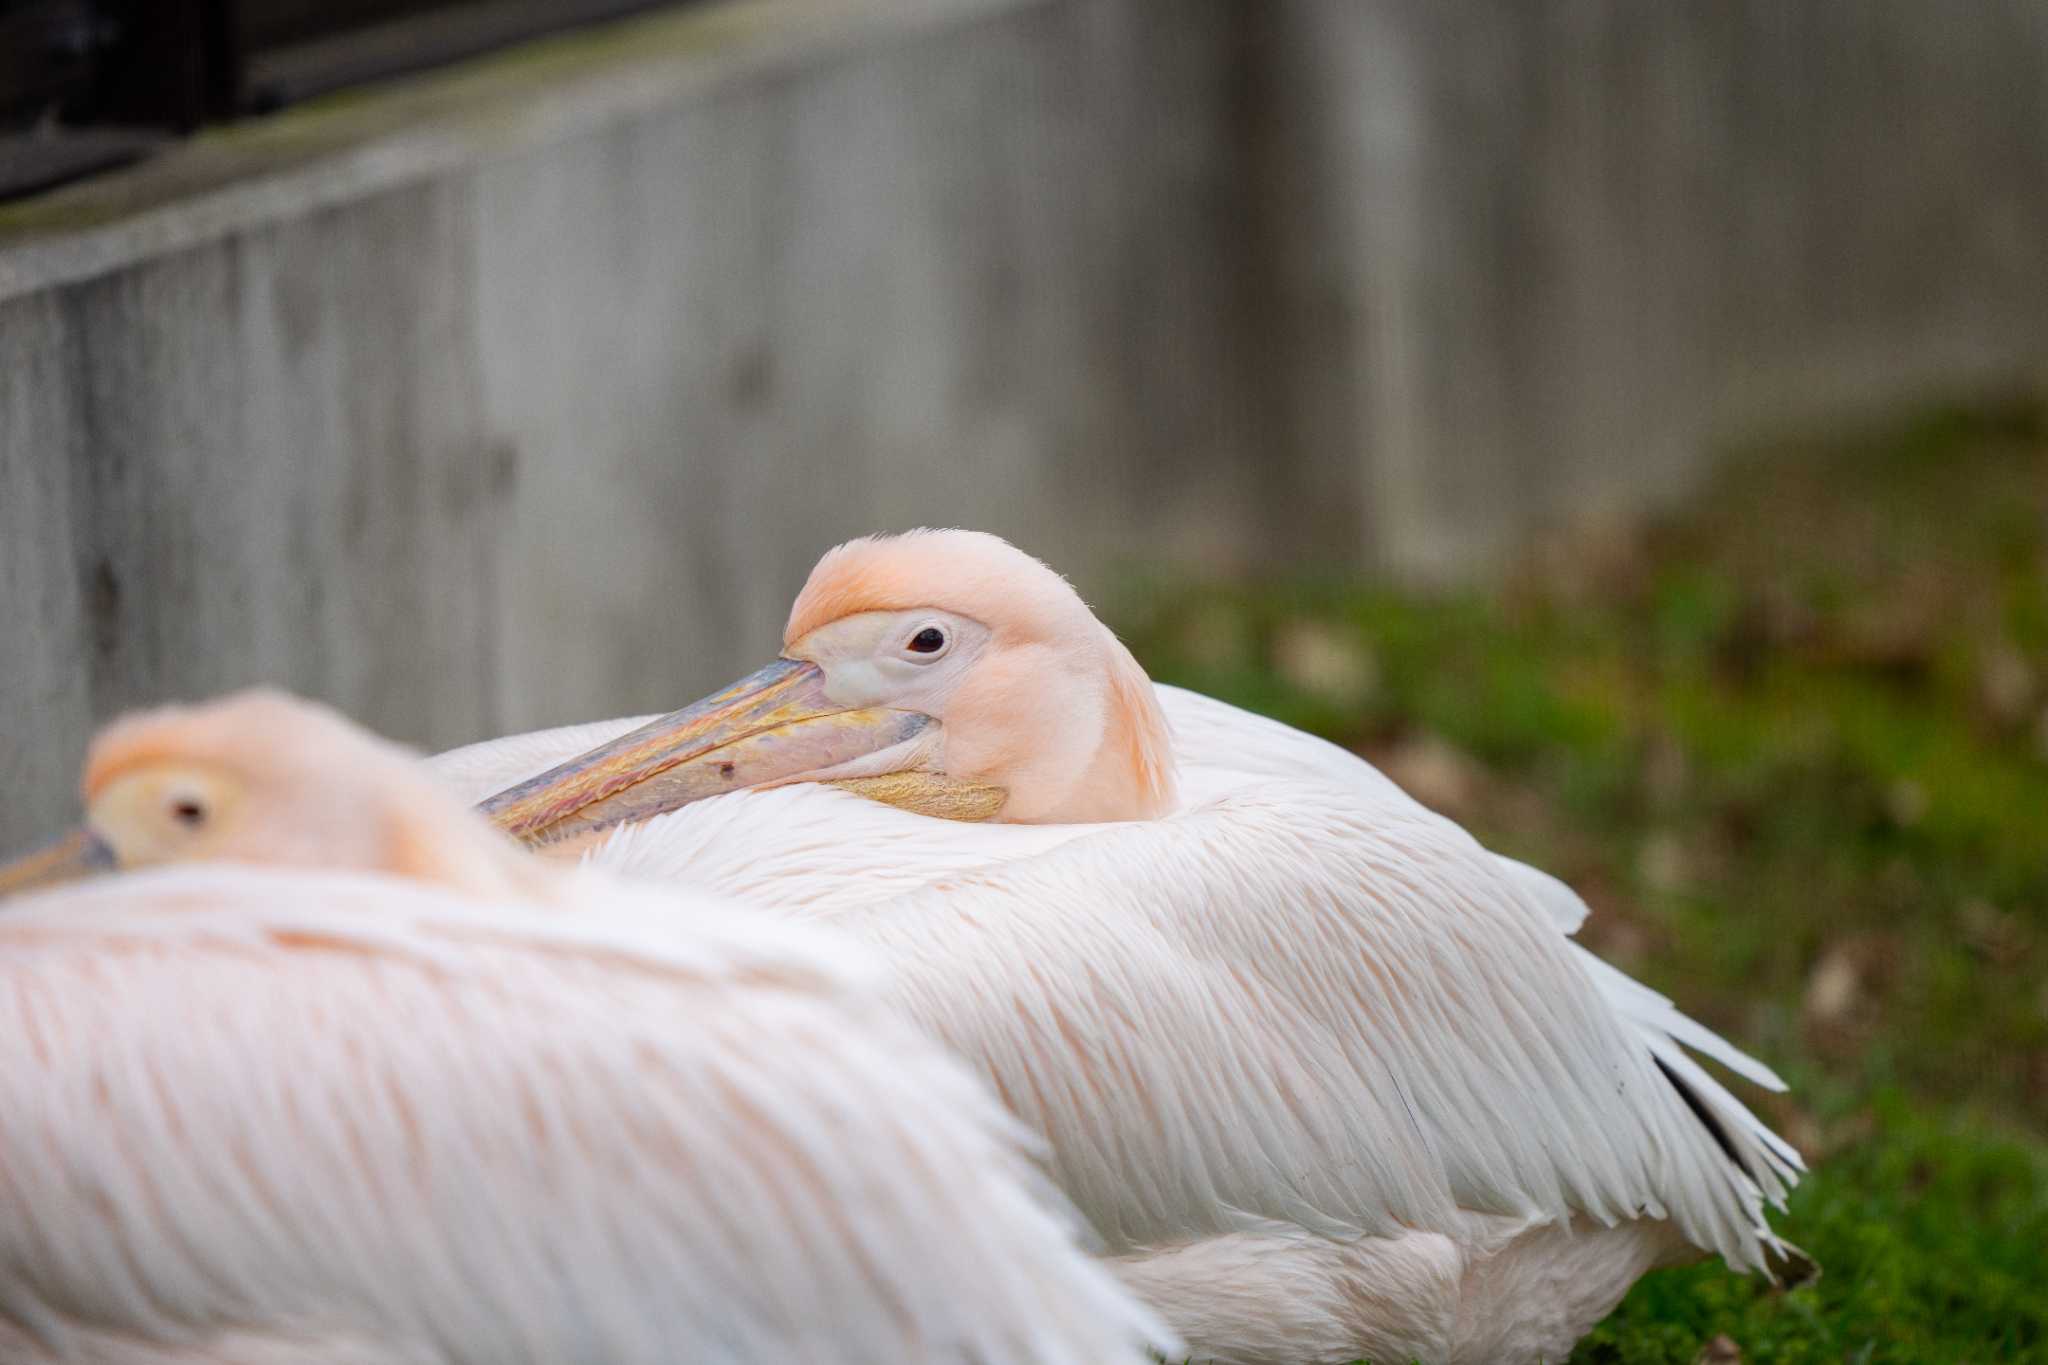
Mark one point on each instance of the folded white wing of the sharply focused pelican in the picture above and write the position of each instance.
(1316, 1012)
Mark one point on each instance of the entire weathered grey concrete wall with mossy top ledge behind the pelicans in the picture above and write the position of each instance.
(529, 392)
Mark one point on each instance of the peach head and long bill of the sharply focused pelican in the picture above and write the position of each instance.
(941, 670)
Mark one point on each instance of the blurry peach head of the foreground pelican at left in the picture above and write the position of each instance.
(267, 779)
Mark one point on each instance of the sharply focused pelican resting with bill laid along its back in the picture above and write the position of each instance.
(1332, 1080)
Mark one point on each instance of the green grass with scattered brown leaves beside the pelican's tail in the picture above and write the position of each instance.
(1795, 750)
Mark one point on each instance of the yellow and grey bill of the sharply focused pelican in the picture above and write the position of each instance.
(775, 725)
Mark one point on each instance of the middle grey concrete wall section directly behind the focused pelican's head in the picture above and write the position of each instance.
(988, 281)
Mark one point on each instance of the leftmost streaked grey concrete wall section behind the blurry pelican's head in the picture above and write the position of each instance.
(245, 466)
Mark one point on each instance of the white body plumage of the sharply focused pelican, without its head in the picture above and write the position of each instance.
(1299, 1004)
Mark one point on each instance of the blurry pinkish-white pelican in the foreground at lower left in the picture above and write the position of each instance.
(335, 1075)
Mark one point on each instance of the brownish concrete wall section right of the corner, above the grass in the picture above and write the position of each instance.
(1545, 257)
